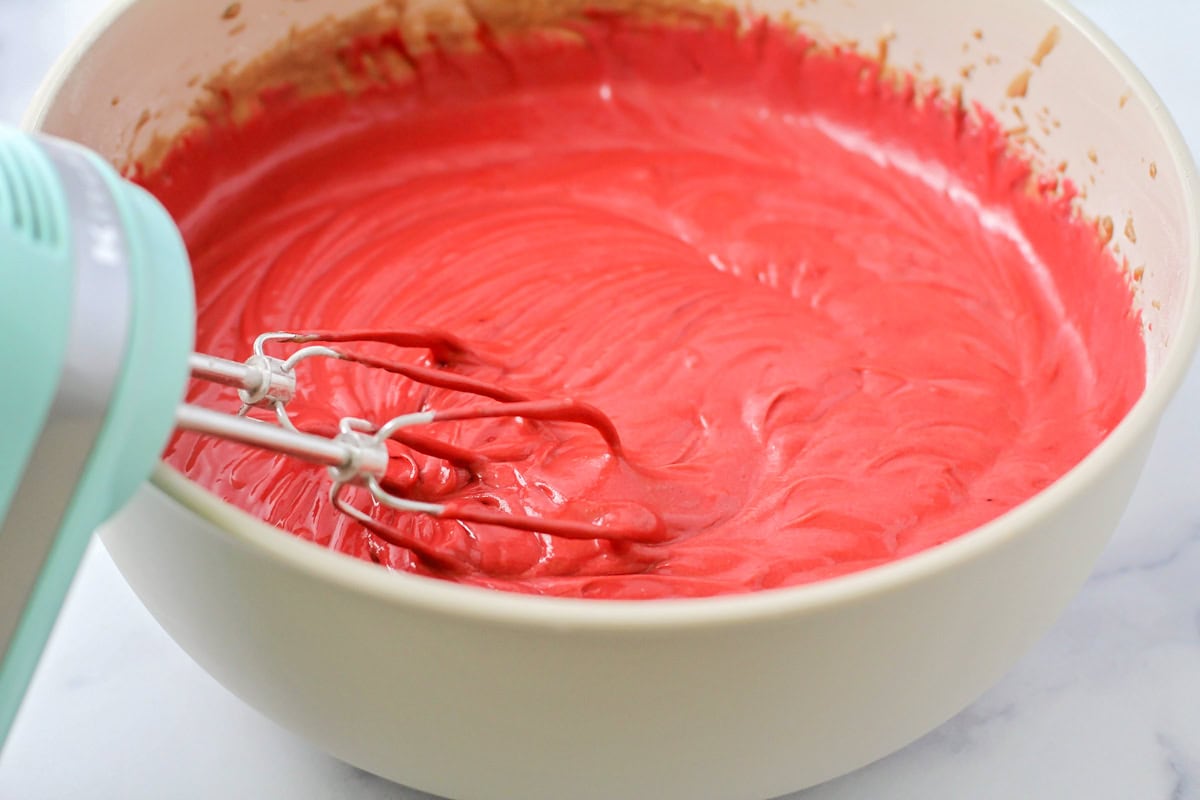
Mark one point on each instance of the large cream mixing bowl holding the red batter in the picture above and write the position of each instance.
(472, 694)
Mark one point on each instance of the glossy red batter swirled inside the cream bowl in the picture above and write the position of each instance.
(831, 318)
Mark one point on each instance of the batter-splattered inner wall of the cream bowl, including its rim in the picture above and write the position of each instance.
(1073, 103)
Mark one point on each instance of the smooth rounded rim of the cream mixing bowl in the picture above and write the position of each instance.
(519, 610)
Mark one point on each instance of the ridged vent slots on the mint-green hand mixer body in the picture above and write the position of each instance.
(27, 204)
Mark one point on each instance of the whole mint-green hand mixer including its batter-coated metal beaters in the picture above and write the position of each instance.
(98, 317)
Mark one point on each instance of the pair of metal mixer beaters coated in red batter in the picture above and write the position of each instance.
(358, 454)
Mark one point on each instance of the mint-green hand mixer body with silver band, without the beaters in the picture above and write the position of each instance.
(97, 326)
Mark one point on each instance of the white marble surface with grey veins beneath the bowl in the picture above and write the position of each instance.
(1106, 708)
